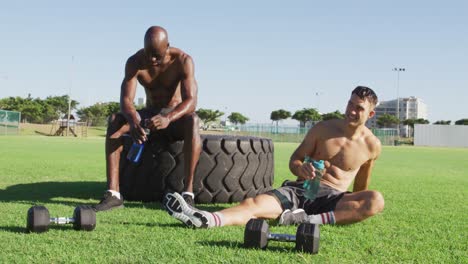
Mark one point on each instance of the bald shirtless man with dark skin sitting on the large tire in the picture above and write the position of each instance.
(167, 75)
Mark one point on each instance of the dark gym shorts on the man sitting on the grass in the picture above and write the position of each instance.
(291, 196)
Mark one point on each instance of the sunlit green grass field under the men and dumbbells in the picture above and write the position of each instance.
(425, 218)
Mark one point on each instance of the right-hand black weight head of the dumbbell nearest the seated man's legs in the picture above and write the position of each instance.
(307, 238)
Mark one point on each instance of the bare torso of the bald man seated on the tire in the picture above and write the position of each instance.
(162, 83)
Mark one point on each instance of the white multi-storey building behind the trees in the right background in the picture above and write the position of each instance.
(410, 108)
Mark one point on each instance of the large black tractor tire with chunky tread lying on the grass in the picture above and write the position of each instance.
(230, 169)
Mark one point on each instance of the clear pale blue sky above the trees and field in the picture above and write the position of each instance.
(251, 57)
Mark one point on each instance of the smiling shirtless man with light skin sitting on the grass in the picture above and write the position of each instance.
(349, 150)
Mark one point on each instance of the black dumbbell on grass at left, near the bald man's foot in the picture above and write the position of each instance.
(38, 220)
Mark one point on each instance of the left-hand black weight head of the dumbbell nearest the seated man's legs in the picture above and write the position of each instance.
(256, 234)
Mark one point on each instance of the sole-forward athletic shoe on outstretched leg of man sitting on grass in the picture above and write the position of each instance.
(178, 208)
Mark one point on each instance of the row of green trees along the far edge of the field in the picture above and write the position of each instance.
(38, 110)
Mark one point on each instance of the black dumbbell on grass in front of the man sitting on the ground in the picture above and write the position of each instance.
(257, 235)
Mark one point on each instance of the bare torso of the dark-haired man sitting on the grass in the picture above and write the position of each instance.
(343, 156)
